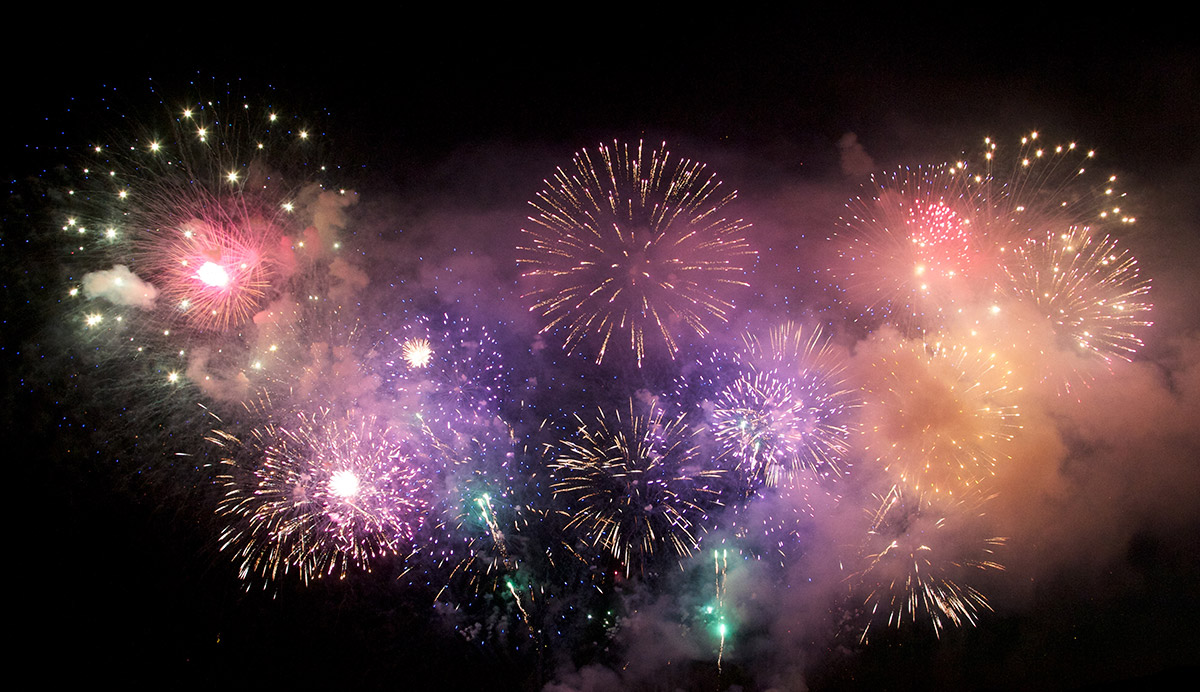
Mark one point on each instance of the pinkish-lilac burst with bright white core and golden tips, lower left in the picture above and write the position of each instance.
(319, 495)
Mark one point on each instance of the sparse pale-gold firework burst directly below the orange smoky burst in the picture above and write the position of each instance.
(914, 563)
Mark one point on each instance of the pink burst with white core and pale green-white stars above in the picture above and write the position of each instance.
(200, 209)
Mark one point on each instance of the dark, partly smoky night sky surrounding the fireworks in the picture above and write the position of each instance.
(446, 137)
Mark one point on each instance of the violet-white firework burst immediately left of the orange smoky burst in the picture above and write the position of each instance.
(790, 410)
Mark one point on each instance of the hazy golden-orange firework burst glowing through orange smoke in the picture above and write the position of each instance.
(939, 417)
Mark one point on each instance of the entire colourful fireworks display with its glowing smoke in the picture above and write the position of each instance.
(610, 425)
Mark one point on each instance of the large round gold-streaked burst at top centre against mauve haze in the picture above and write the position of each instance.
(631, 245)
